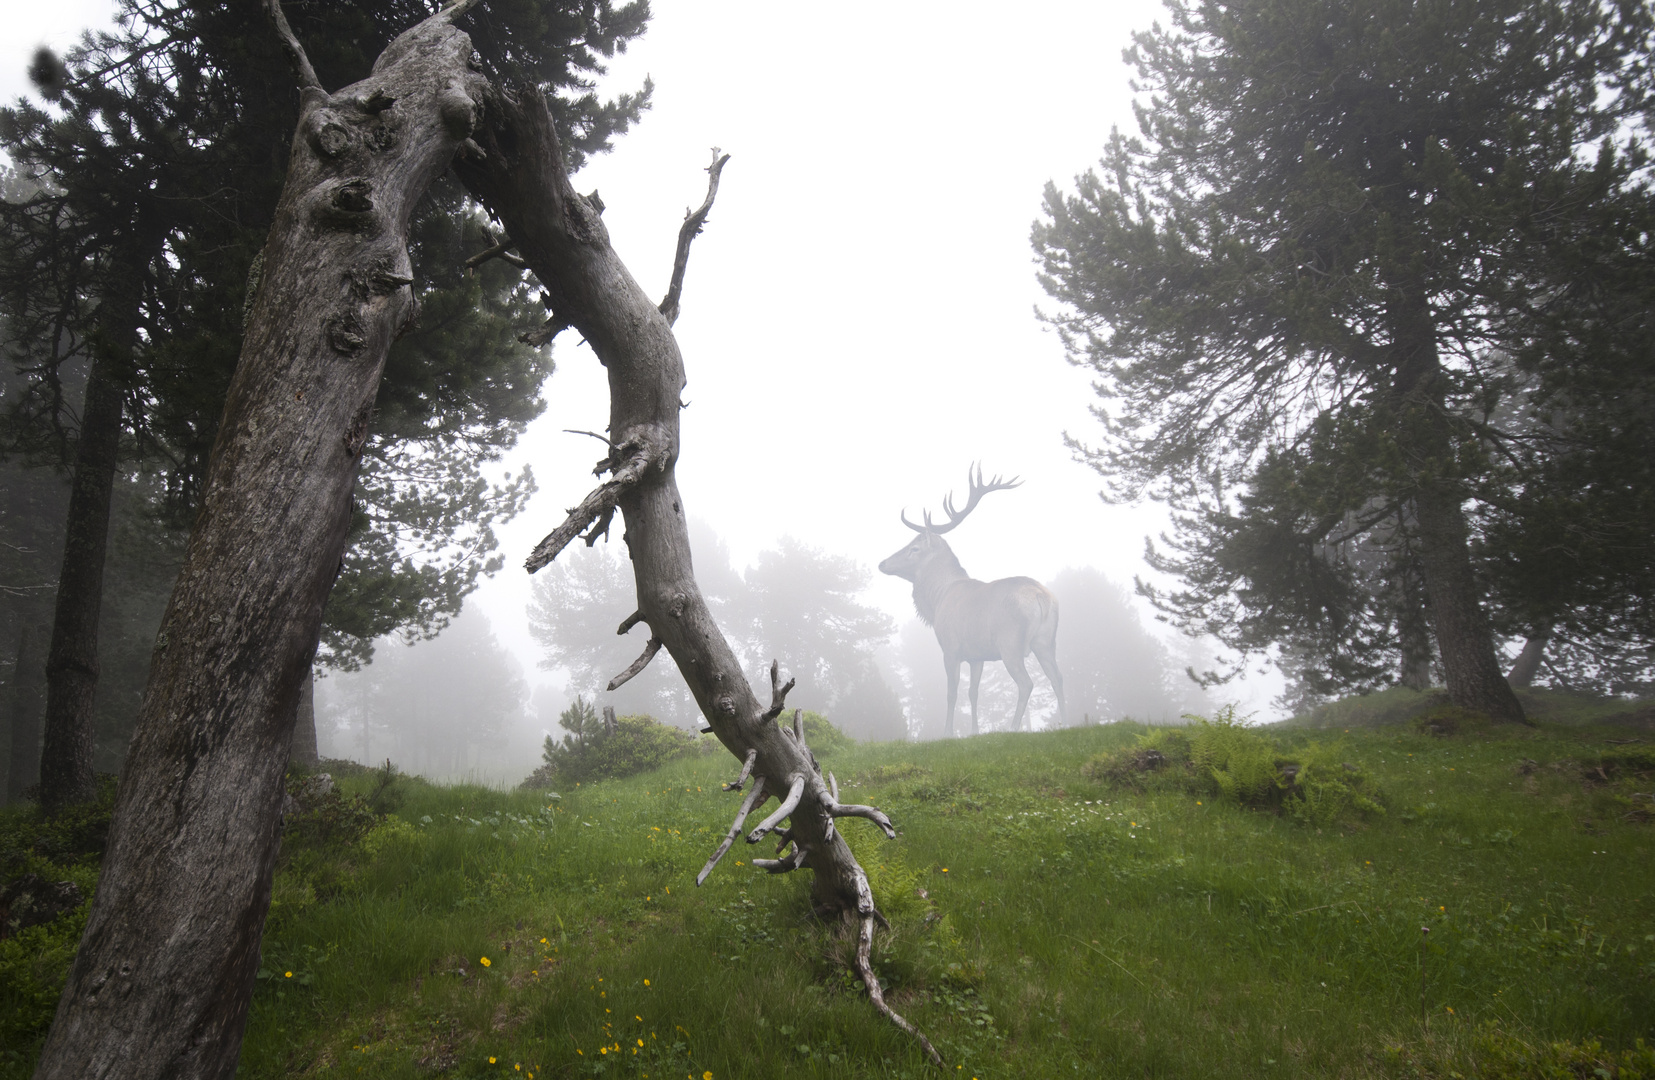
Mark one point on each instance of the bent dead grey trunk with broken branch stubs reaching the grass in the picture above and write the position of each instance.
(562, 236)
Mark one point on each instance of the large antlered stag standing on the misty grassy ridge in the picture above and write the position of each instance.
(979, 621)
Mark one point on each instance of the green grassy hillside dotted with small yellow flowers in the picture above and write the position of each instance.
(1050, 922)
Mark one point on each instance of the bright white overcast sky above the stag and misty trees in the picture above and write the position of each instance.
(858, 318)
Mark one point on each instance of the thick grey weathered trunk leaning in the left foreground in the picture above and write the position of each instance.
(165, 973)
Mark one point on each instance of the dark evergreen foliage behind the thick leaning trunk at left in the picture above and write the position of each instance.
(148, 191)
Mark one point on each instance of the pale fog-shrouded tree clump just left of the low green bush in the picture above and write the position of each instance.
(443, 709)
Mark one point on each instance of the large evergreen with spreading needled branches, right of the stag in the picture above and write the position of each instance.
(1315, 287)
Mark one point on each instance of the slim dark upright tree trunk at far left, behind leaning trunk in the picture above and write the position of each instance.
(72, 661)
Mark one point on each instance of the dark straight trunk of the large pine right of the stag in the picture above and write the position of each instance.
(1464, 636)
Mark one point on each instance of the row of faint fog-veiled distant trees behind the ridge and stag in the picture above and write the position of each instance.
(459, 709)
